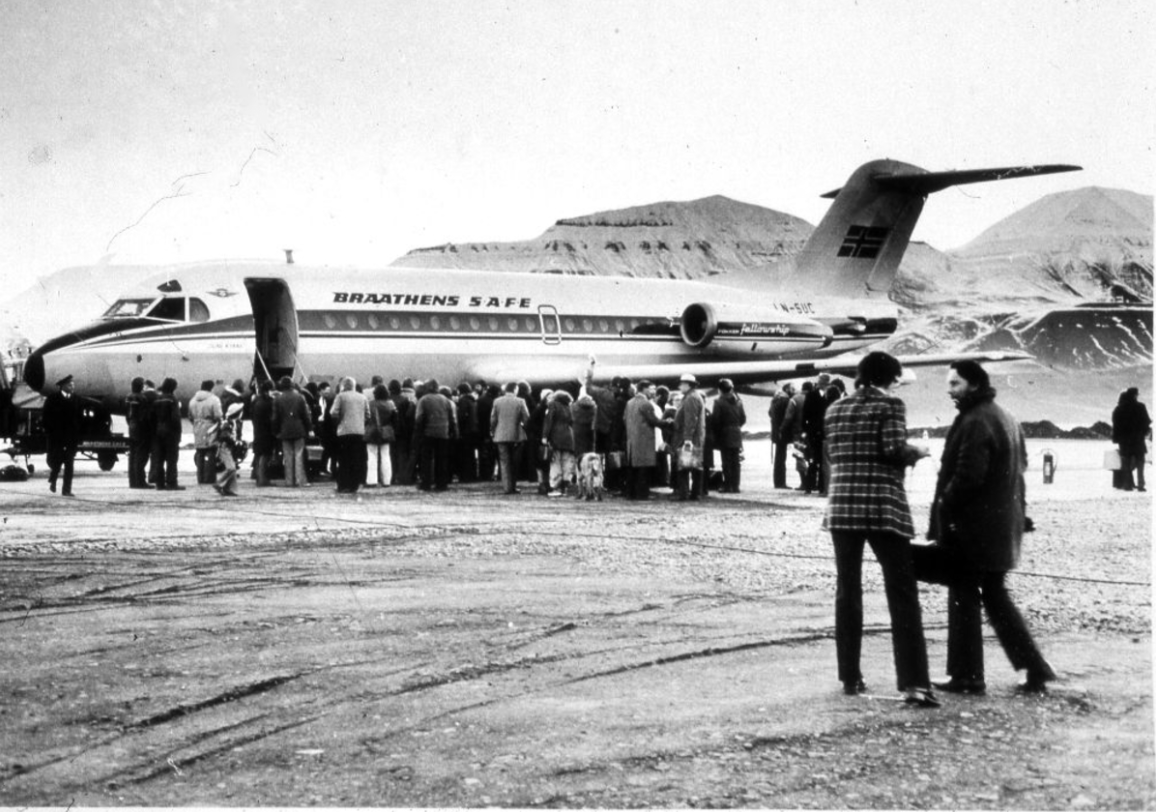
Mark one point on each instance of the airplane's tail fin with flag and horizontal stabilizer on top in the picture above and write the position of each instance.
(857, 248)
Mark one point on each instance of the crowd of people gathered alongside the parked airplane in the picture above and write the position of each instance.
(427, 435)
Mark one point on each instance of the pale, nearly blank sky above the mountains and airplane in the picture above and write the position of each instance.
(352, 132)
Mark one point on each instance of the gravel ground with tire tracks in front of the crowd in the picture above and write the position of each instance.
(724, 588)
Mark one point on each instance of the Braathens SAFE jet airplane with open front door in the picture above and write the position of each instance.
(224, 321)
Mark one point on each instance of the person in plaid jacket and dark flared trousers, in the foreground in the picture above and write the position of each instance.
(869, 452)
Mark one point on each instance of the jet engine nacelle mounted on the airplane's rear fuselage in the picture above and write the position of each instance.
(744, 330)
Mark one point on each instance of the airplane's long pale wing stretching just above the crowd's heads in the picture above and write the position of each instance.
(710, 372)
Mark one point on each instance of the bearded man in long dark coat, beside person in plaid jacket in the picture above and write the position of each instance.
(977, 518)
